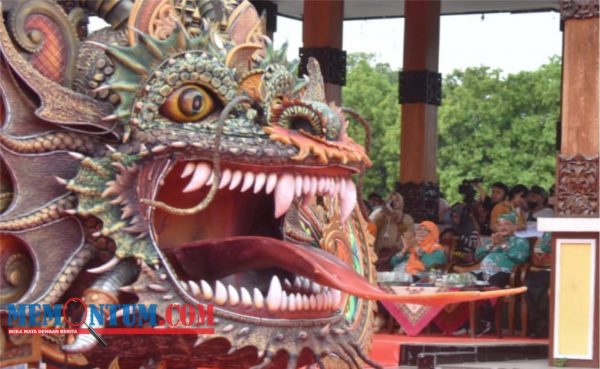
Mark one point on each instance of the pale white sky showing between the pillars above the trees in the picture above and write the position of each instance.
(510, 42)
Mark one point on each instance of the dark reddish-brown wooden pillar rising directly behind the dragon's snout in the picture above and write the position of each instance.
(322, 35)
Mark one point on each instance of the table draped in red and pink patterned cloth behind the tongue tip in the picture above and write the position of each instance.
(414, 318)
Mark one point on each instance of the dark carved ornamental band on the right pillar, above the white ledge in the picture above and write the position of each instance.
(577, 186)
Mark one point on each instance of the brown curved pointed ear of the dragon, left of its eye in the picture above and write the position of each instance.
(58, 104)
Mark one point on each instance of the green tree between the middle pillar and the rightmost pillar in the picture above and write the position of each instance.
(499, 128)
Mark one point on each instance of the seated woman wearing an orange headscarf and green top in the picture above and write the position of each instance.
(420, 251)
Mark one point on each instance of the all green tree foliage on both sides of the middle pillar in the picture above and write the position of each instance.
(501, 128)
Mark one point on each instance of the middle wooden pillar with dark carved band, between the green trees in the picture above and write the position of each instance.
(420, 95)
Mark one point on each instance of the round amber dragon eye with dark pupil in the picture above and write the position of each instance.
(188, 103)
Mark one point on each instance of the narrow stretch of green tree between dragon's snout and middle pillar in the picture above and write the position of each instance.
(372, 90)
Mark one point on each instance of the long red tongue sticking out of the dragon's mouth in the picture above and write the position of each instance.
(237, 254)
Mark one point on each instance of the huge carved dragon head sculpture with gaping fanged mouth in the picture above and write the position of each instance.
(181, 160)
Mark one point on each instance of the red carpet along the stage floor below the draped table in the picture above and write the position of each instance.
(386, 347)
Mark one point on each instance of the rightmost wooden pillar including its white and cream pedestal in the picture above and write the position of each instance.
(576, 257)
